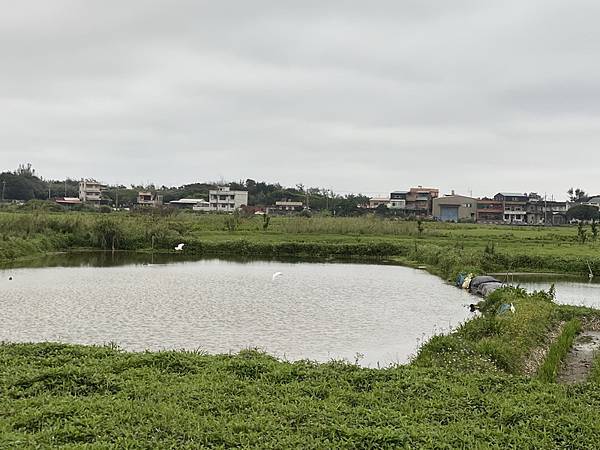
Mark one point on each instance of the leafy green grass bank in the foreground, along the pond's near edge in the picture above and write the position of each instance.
(465, 390)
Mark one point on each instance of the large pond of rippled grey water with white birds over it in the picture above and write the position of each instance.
(376, 314)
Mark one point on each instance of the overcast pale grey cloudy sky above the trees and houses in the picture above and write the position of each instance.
(480, 96)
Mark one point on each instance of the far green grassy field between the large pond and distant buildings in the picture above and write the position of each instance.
(444, 248)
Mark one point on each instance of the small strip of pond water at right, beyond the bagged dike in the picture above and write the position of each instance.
(570, 290)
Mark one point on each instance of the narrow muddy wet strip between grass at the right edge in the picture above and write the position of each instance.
(579, 360)
